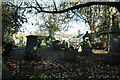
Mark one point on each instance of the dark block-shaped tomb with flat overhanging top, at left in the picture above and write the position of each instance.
(31, 47)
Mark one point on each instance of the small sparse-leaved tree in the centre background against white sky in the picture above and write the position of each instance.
(54, 22)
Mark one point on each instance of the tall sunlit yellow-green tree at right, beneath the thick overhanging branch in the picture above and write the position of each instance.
(99, 19)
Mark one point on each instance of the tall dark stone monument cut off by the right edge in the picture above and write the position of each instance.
(114, 50)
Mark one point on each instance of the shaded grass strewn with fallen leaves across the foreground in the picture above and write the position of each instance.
(51, 67)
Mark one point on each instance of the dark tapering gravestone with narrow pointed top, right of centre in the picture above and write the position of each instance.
(86, 47)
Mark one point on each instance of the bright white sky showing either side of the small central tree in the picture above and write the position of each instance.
(73, 30)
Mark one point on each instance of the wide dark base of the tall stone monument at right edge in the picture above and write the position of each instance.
(113, 58)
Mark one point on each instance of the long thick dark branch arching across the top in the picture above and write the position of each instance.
(40, 9)
